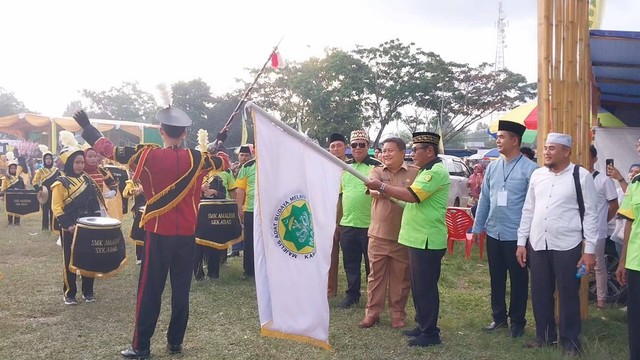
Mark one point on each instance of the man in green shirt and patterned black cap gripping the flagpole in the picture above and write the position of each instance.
(424, 231)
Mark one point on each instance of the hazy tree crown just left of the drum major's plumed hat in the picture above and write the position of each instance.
(127, 102)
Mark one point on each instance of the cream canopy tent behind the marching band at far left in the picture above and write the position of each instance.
(21, 125)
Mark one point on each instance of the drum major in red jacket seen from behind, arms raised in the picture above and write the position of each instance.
(171, 178)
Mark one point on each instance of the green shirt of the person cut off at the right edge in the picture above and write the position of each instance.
(630, 209)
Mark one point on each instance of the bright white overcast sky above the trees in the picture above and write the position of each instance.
(54, 49)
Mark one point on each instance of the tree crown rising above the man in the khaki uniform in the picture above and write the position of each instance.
(391, 83)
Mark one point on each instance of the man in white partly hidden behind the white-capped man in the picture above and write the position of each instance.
(607, 203)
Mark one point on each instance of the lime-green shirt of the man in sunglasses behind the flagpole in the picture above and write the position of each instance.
(356, 204)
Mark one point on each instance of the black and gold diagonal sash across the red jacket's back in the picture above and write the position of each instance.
(168, 198)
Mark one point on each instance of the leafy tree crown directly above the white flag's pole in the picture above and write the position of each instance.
(319, 96)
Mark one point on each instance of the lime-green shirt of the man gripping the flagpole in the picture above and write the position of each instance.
(423, 222)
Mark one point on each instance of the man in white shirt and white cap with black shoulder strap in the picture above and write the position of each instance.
(551, 222)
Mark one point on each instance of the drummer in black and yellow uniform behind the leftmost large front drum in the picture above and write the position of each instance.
(74, 195)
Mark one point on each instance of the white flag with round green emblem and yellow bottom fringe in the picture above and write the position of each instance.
(294, 219)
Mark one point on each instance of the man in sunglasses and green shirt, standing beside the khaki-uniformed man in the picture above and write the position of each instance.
(356, 217)
